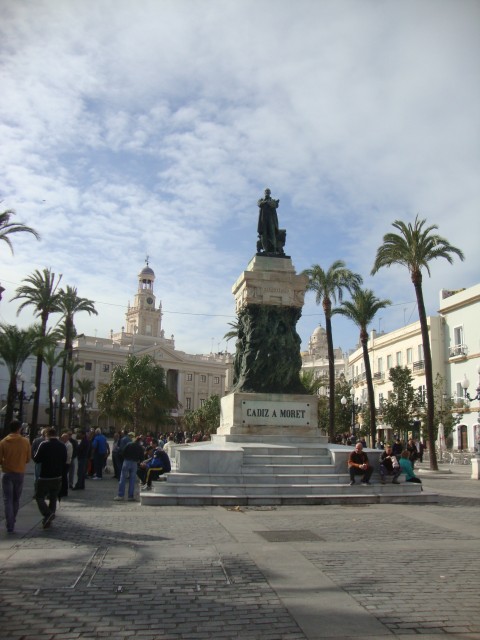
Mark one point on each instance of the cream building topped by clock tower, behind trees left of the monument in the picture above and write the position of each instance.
(192, 378)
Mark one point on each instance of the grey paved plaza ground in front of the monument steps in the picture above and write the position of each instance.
(118, 570)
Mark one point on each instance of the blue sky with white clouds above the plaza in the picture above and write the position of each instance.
(135, 128)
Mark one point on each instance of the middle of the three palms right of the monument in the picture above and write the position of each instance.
(361, 309)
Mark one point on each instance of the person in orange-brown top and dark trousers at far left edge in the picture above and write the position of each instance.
(15, 453)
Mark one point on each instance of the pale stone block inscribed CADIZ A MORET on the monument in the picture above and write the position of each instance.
(268, 414)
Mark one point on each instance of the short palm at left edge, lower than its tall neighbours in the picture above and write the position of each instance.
(15, 347)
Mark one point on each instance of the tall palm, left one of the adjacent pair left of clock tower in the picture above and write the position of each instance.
(40, 291)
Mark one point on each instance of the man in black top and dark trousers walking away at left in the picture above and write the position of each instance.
(52, 456)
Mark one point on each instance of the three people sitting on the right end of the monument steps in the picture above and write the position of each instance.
(390, 465)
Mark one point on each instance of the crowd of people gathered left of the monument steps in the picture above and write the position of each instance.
(64, 462)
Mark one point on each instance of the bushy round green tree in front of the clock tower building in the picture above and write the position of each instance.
(137, 392)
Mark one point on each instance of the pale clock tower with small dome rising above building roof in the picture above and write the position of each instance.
(143, 318)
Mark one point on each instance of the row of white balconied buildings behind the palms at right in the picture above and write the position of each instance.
(455, 345)
